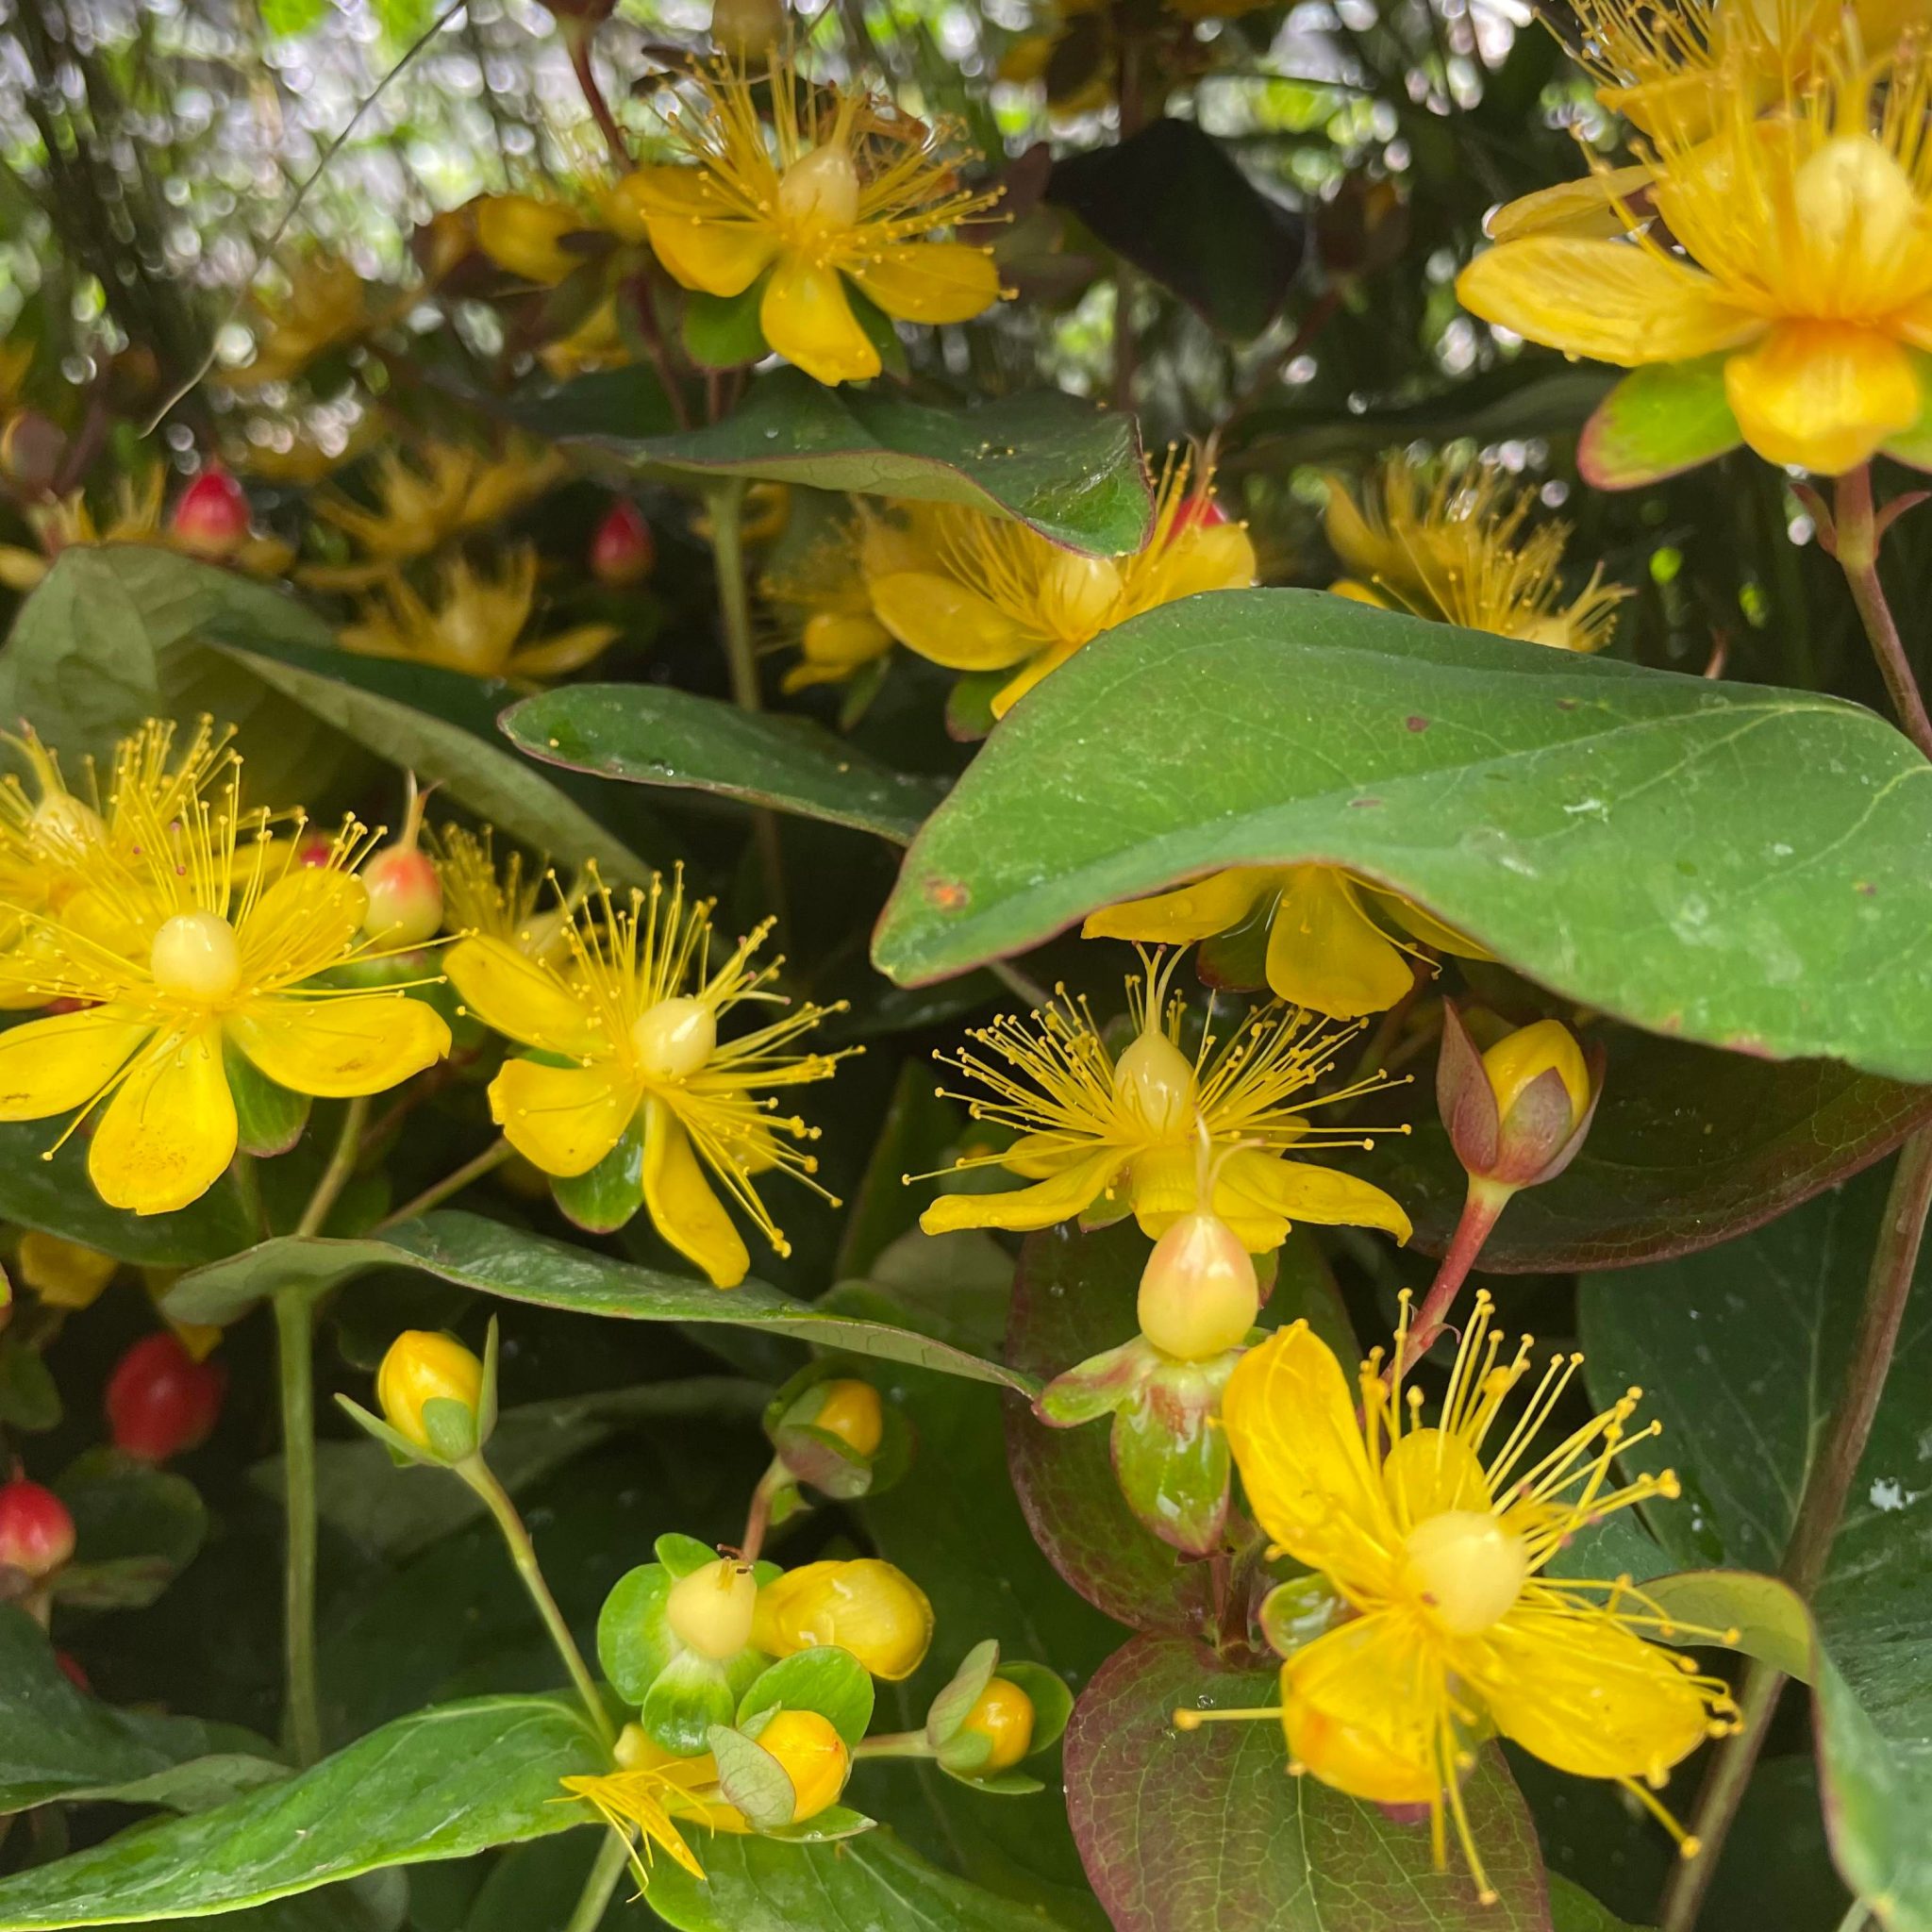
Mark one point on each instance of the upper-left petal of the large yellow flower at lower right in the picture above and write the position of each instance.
(1290, 1415)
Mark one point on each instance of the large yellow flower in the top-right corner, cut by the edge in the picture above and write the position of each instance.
(1796, 246)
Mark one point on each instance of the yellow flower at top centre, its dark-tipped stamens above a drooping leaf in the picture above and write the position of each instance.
(838, 188)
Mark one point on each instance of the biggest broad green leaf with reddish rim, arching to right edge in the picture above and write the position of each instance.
(1713, 861)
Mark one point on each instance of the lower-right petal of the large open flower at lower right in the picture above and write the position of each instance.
(1589, 1697)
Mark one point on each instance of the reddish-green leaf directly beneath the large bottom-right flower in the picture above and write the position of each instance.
(1152, 1807)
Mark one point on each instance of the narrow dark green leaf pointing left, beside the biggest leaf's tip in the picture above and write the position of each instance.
(652, 735)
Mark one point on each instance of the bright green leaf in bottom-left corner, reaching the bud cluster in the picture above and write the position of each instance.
(443, 1784)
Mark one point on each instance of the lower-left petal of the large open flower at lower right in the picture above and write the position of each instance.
(1365, 1709)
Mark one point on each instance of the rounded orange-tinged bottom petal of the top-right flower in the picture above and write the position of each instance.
(1823, 395)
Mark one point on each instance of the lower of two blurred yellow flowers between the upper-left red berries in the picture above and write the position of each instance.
(476, 625)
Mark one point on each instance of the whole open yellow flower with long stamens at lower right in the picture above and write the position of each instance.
(1429, 1545)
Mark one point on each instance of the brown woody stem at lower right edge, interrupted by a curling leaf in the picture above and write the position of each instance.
(1821, 1506)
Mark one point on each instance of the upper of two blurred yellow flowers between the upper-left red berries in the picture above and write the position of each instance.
(428, 499)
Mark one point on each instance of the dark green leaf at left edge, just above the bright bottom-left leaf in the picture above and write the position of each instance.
(61, 1744)
